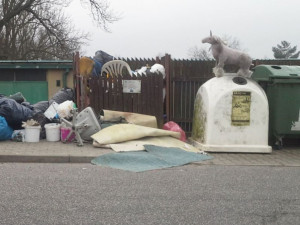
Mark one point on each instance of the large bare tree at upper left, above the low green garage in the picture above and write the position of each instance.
(37, 29)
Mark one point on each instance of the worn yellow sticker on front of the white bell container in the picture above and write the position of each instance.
(241, 103)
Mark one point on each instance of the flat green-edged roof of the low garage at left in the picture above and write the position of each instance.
(36, 64)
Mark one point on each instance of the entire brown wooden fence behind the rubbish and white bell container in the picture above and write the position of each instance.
(183, 79)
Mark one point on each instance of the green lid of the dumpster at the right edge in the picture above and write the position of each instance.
(267, 72)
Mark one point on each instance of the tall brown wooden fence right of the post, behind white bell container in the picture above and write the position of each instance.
(186, 77)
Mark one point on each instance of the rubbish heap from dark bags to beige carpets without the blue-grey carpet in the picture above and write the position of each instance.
(19, 119)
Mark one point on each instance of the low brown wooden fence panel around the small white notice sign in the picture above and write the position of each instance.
(107, 93)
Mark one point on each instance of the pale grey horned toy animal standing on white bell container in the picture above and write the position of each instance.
(225, 55)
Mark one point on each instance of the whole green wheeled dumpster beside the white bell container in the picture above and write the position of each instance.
(282, 87)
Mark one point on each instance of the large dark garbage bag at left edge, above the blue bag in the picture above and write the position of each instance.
(13, 112)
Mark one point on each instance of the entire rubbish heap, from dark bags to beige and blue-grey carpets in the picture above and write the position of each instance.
(59, 120)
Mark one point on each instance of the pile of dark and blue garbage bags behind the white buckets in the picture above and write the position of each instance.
(14, 110)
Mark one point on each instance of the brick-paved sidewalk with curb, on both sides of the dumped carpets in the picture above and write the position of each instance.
(58, 152)
